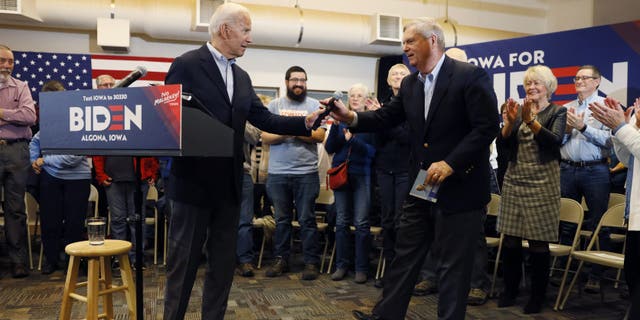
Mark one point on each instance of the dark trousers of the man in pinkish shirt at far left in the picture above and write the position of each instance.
(14, 166)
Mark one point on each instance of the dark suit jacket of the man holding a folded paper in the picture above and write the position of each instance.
(462, 122)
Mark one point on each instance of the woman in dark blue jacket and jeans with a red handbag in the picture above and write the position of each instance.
(353, 201)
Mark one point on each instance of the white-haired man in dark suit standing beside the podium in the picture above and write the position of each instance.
(205, 190)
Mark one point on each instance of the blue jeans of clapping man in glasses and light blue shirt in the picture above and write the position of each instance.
(592, 183)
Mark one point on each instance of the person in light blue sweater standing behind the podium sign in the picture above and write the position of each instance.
(64, 190)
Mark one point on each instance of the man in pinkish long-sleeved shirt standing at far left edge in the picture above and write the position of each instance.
(17, 114)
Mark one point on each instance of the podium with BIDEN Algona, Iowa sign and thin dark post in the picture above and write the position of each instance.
(142, 121)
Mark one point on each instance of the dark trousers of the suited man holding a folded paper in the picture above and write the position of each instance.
(420, 225)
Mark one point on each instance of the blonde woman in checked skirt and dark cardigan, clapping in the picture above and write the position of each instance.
(530, 206)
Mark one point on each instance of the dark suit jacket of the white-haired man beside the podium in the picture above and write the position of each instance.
(197, 180)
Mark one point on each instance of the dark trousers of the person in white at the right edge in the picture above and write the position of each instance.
(632, 271)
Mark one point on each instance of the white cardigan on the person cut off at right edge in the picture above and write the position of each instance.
(627, 142)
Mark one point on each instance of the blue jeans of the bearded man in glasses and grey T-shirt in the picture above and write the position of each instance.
(301, 190)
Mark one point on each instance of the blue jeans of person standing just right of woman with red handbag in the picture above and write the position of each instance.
(394, 187)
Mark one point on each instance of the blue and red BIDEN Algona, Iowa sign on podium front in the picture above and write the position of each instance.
(130, 121)
